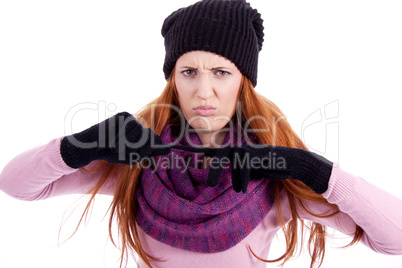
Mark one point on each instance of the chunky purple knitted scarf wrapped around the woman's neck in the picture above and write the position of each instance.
(177, 207)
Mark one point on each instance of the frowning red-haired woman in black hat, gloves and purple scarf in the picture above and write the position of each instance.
(181, 213)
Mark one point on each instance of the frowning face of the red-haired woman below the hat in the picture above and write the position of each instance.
(208, 86)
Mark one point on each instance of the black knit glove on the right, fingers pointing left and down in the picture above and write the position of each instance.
(271, 162)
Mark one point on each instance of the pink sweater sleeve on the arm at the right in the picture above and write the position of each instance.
(377, 212)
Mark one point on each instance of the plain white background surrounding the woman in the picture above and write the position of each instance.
(54, 55)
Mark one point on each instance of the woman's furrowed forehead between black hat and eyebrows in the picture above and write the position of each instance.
(204, 58)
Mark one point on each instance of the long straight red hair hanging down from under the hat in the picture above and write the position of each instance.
(124, 206)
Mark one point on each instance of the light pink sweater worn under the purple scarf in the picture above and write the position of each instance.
(41, 173)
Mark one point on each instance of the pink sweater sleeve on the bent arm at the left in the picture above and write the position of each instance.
(41, 173)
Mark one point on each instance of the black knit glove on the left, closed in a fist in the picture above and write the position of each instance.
(117, 140)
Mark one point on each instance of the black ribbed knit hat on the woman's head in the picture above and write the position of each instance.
(230, 28)
